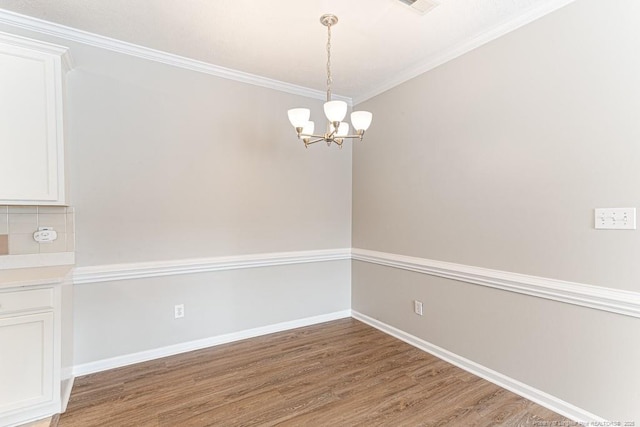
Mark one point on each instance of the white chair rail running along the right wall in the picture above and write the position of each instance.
(601, 298)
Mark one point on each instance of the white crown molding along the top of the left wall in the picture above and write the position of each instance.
(72, 34)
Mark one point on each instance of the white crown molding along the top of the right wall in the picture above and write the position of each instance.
(465, 46)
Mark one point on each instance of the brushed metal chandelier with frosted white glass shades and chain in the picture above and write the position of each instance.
(337, 130)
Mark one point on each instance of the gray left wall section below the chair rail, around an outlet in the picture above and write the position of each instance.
(129, 316)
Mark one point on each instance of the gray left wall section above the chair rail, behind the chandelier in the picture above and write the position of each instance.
(168, 163)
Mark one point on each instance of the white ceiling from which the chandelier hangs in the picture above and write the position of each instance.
(376, 44)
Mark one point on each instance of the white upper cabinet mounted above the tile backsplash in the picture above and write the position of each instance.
(32, 75)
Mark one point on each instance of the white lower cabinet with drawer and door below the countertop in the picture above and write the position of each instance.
(29, 361)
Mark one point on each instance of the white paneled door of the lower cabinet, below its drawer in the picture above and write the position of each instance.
(26, 360)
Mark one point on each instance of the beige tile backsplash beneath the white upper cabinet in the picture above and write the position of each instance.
(18, 223)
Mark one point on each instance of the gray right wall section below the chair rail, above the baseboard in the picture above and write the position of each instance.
(587, 358)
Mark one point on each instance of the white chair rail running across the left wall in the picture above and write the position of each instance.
(108, 273)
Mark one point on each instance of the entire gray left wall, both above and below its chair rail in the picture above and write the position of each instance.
(168, 164)
